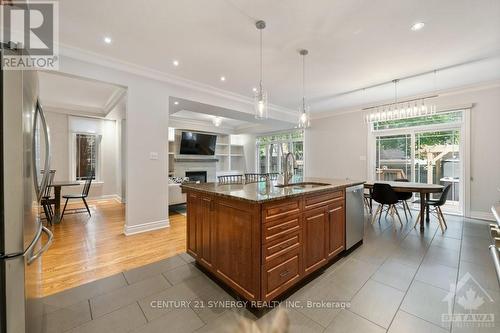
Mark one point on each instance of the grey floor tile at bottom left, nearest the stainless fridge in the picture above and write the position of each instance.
(65, 319)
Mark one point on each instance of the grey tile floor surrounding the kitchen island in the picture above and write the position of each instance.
(398, 281)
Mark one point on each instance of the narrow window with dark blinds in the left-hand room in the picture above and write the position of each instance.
(86, 155)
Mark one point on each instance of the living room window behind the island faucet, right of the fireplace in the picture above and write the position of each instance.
(272, 148)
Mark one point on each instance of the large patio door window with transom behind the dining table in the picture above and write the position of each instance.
(426, 149)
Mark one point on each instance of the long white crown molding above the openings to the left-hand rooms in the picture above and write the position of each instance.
(117, 64)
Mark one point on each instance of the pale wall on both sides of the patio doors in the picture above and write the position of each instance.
(336, 145)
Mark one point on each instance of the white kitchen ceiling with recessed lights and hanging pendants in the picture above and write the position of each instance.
(352, 44)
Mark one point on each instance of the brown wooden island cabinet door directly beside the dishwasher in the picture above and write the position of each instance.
(336, 228)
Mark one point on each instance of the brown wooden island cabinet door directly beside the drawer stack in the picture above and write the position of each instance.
(314, 239)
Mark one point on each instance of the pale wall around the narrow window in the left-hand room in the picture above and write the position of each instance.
(106, 185)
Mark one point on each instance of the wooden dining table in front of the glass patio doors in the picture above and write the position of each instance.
(425, 190)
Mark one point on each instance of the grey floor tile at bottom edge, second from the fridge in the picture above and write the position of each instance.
(122, 320)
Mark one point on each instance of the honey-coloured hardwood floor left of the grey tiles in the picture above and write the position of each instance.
(89, 248)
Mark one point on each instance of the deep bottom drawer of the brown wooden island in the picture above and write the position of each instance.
(277, 278)
